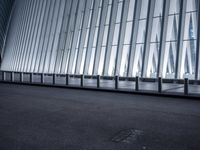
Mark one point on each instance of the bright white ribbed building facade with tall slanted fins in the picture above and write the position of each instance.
(146, 38)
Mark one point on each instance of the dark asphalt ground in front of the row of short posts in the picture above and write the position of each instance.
(47, 118)
